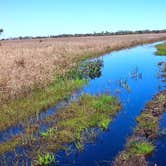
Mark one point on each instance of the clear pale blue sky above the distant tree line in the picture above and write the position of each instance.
(53, 17)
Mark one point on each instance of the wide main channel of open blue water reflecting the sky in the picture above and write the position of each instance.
(119, 67)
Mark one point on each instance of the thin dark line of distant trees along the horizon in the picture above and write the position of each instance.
(103, 33)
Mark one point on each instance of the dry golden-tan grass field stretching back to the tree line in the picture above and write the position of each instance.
(25, 64)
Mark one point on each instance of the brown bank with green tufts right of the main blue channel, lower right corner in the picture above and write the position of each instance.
(140, 144)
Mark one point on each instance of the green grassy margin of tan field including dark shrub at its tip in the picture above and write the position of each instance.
(20, 110)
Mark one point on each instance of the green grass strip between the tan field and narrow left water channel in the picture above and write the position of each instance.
(21, 109)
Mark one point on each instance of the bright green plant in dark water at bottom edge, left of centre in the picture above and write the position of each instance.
(46, 159)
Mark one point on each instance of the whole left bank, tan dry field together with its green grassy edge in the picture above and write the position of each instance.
(20, 100)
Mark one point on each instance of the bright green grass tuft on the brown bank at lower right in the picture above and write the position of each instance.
(141, 148)
